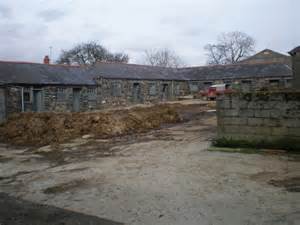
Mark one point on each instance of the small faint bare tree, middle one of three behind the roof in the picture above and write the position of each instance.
(162, 57)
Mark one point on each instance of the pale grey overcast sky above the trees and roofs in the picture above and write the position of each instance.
(28, 28)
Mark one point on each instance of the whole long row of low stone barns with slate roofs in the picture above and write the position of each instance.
(47, 87)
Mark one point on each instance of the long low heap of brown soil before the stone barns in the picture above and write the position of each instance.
(48, 127)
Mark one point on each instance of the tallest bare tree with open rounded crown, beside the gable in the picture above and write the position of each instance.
(231, 48)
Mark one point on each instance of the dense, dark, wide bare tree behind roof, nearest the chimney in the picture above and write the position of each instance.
(90, 53)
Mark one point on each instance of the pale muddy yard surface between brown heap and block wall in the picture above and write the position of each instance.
(164, 176)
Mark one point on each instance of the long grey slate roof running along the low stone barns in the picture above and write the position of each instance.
(43, 74)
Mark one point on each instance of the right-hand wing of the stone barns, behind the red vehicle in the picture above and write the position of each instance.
(247, 76)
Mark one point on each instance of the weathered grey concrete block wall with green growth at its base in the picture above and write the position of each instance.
(272, 118)
